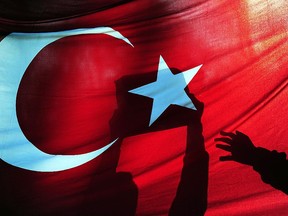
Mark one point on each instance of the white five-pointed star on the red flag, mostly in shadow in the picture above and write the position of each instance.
(168, 89)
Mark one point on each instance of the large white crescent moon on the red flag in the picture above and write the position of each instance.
(17, 50)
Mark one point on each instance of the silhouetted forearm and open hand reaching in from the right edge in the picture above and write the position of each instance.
(271, 165)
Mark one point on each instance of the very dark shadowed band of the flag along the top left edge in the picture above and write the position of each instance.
(20, 12)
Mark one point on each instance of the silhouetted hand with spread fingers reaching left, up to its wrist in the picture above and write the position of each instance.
(239, 145)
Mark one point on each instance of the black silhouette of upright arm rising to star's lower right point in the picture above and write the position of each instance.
(191, 195)
